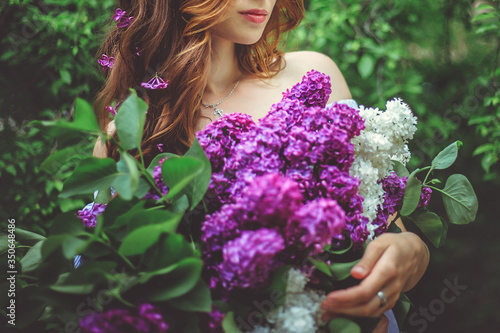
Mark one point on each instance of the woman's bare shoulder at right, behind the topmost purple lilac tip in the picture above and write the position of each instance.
(300, 62)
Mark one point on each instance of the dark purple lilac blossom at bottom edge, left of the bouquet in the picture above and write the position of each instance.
(145, 319)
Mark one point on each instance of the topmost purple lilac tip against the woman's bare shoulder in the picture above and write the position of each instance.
(314, 90)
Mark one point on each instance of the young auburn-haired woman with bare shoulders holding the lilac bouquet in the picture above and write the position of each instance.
(223, 57)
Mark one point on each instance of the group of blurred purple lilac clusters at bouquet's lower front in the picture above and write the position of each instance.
(268, 227)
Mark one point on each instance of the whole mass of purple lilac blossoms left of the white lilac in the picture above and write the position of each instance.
(282, 186)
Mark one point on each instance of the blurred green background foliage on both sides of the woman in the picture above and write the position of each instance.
(440, 56)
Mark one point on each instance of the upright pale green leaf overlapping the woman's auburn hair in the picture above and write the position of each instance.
(130, 120)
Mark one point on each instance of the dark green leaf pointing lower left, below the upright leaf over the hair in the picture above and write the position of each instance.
(91, 174)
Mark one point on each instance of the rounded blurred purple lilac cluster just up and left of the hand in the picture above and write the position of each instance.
(315, 224)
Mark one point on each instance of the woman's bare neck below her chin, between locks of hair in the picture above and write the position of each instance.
(224, 71)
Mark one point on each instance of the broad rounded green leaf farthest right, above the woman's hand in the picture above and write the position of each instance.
(459, 199)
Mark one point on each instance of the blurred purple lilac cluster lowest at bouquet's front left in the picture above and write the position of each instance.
(249, 259)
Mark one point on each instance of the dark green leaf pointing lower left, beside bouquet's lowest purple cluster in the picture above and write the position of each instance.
(179, 281)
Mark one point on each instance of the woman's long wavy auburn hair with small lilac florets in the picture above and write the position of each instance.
(174, 40)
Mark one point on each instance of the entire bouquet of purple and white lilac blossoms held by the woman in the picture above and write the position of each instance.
(304, 179)
